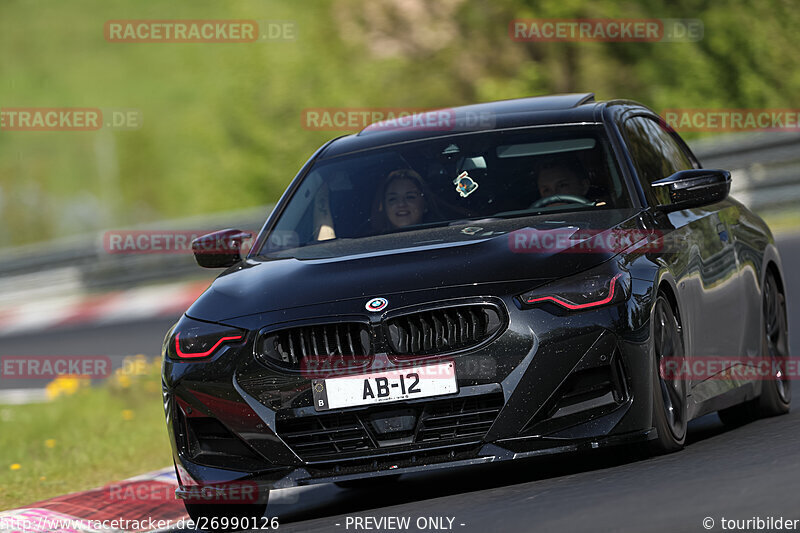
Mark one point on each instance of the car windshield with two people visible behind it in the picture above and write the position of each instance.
(376, 197)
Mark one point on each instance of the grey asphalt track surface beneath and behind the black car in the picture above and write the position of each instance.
(742, 473)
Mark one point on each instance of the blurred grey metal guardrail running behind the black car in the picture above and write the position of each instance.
(766, 176)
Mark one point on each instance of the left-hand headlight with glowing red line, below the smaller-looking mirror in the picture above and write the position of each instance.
(193, 339)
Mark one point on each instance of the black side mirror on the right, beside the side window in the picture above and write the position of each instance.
(691, 188)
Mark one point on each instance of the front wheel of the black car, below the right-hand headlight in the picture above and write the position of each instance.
(669, 393)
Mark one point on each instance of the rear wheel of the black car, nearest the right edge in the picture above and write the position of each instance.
(776, 394)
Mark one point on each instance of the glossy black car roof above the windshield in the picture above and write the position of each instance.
(520, 112)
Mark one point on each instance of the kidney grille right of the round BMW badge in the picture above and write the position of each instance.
(442, 330)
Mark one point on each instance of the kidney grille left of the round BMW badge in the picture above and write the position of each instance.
(335, 345)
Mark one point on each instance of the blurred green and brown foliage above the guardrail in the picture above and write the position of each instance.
(222, 122)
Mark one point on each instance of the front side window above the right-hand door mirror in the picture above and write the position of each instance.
(655, 153)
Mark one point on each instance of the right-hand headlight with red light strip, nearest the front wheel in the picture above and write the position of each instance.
(604, 285)
